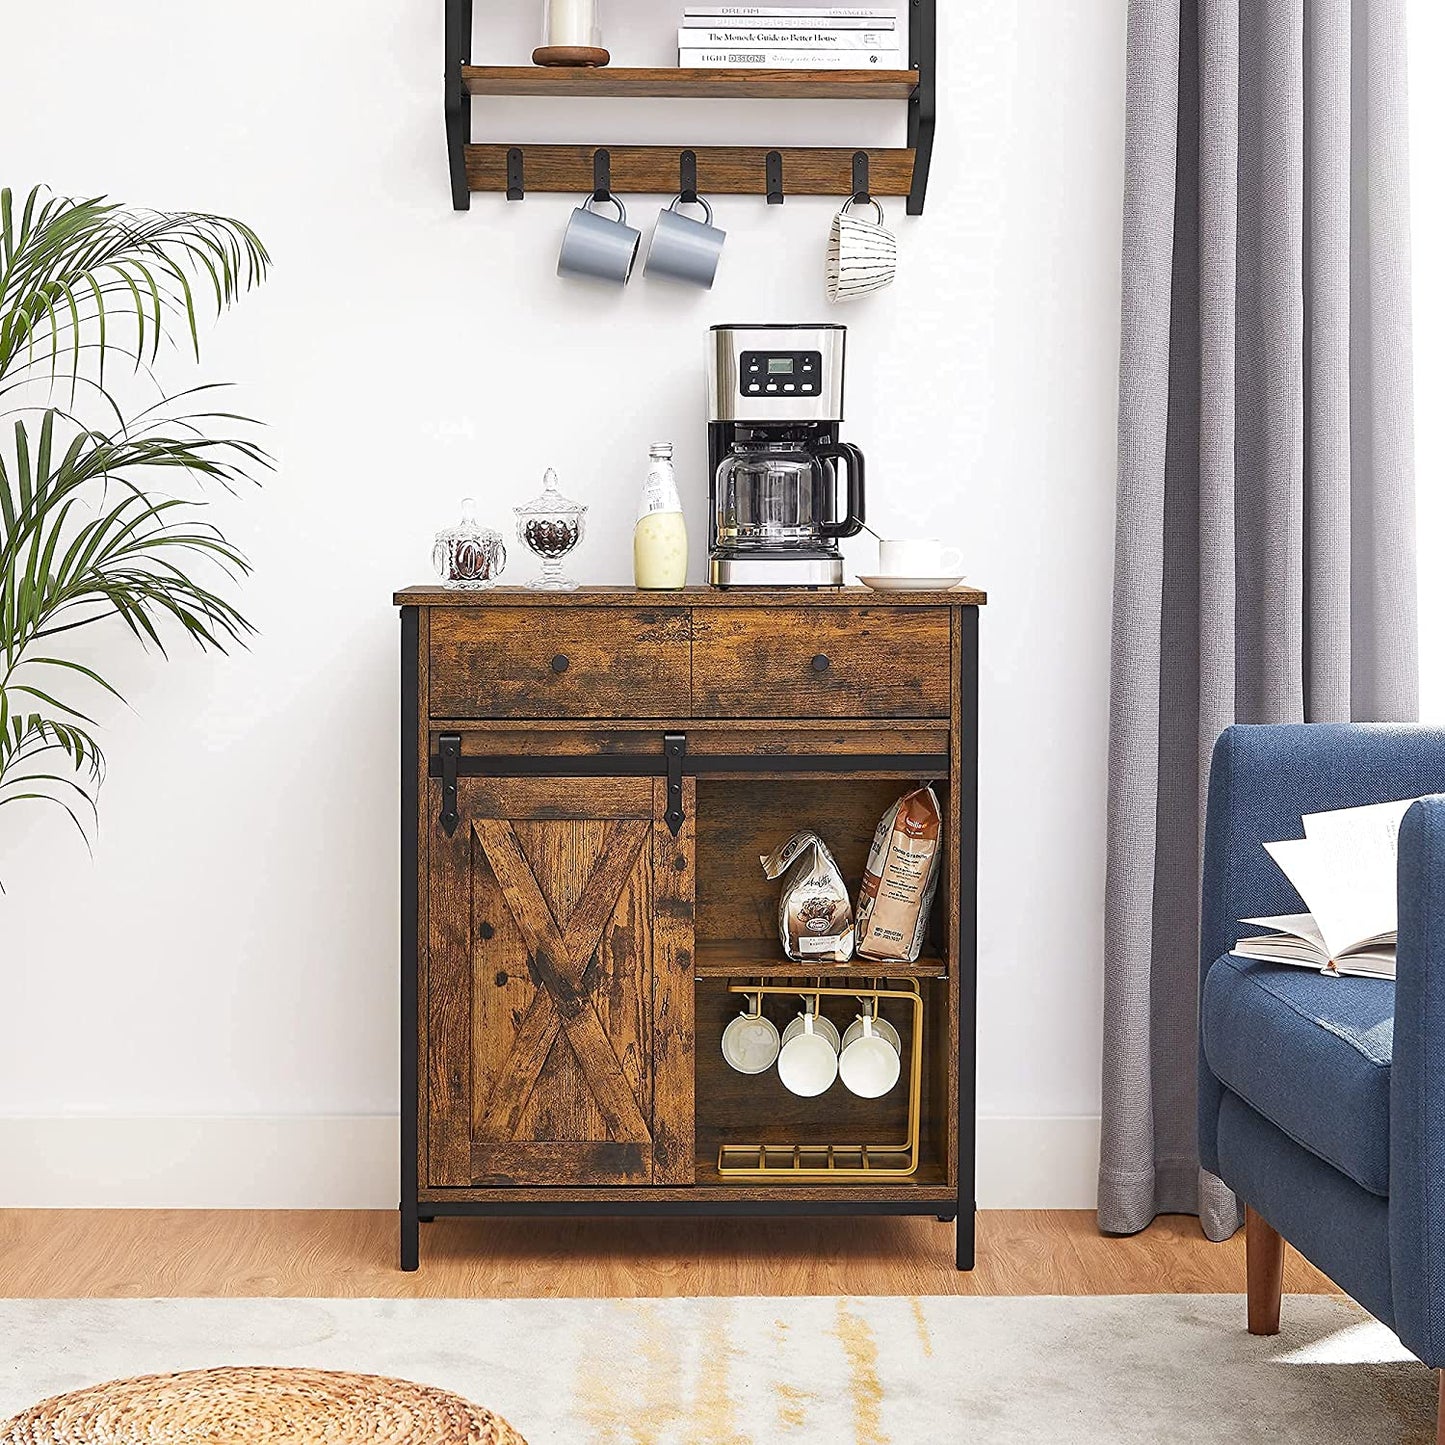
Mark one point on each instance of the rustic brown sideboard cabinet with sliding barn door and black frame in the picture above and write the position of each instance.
(589, 781)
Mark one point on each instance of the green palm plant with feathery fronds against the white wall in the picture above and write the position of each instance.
(87, 531)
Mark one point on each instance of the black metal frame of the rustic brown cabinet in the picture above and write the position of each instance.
(676, 762)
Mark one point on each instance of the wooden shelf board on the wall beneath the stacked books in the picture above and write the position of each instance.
(684, 85)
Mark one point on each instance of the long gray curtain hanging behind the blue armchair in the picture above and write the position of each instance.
(1265, 566)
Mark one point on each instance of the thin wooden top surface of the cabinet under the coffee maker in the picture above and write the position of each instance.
(687, 598)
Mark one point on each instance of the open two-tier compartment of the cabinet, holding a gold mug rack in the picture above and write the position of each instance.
(752, 1134)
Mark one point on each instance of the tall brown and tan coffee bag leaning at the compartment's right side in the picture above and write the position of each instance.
(901, 878)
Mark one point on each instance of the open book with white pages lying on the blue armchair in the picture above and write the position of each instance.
(1345, 869)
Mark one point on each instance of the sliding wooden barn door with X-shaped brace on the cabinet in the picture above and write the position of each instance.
(560, 991)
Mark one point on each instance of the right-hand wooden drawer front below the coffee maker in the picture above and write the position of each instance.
(821, 663)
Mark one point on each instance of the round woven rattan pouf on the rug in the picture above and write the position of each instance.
(241, 1407)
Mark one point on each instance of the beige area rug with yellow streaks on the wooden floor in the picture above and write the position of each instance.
(755, 1372)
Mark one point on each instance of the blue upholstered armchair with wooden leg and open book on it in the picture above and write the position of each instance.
(1321, 1115)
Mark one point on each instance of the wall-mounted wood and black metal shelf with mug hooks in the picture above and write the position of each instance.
(518, 168)
